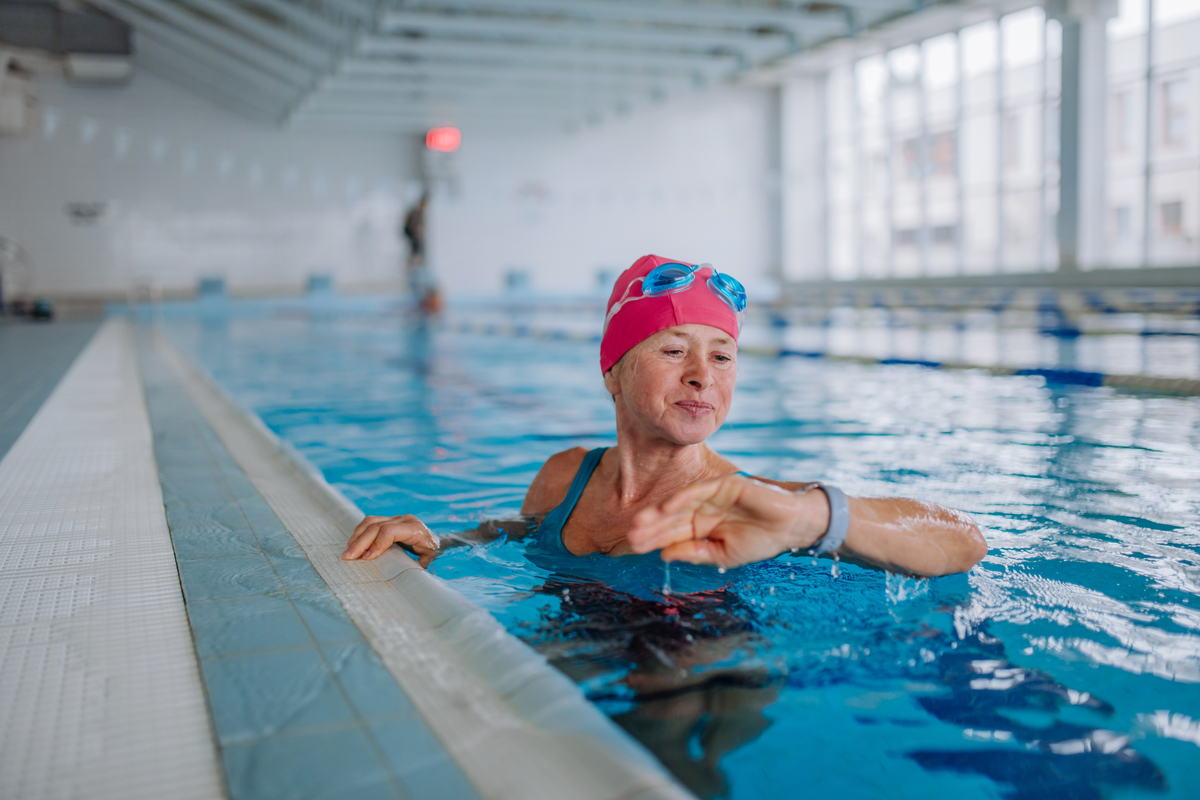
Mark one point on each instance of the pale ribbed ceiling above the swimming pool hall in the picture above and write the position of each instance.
(394, 65)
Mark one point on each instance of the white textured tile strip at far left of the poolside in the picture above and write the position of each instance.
(100, 688)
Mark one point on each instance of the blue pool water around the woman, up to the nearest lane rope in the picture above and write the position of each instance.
(1066, 665)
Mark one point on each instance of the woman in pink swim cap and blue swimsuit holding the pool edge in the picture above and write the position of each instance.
(670, 360)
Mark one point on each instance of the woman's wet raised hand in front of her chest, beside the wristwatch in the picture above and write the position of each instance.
(730, 521)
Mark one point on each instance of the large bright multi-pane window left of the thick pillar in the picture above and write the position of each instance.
(944, 154)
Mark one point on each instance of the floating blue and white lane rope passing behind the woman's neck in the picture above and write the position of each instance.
(1159, 384)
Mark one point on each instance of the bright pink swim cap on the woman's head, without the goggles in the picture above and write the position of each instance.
(641, 317)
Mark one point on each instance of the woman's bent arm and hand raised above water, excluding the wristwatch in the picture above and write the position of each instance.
(733, 521)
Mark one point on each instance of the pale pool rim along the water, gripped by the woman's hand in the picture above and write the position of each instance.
(517, 727)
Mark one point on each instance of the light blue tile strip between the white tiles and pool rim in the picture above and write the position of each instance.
(301, 706)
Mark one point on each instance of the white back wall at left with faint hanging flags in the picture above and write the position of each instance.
(193, 190)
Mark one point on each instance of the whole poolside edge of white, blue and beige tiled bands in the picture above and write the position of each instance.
(175, 622)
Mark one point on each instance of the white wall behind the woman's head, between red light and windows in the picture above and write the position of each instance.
(689, 179)
